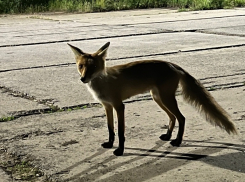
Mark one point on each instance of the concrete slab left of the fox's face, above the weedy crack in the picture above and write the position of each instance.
(60, 84)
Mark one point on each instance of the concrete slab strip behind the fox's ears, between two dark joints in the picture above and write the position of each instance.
(60, 53)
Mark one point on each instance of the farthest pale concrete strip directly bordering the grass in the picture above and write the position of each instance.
(140, 16)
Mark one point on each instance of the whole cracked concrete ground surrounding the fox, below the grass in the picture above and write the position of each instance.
(56, 129)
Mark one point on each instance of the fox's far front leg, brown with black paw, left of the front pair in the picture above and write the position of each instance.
(110, 124)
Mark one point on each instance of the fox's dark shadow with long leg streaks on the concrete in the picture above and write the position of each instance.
(232, 161)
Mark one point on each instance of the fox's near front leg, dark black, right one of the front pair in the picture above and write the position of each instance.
(121, 129)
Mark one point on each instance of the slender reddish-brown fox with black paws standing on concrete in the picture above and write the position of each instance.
(112, 85)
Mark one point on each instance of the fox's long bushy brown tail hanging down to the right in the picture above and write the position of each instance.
(198, 96)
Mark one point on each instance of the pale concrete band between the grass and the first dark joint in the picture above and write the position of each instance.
(55, 31)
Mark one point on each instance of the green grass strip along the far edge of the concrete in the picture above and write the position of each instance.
(32, 6)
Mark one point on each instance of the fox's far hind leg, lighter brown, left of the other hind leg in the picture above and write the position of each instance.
(172, 119)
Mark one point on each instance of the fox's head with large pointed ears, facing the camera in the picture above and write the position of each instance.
(90, 66)
